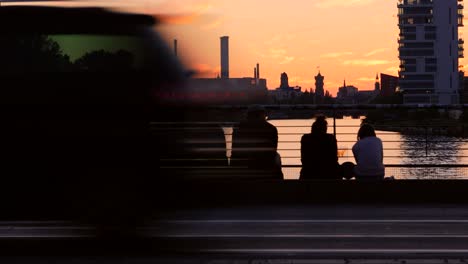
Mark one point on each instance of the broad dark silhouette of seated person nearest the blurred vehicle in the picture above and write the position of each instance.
(254, 147)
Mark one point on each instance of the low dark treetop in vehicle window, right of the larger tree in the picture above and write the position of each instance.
(101, 60)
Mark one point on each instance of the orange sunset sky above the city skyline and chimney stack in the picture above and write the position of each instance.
(345, 39)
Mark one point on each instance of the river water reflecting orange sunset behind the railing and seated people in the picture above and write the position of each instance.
(398, 149)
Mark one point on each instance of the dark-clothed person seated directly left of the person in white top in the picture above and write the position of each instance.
(319, 154)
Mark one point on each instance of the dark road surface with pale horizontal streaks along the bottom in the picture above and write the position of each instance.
(269, 234)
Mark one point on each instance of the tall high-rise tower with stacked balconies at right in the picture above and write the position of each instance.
(429, 49)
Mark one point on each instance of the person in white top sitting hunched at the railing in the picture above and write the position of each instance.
(368, 152)
